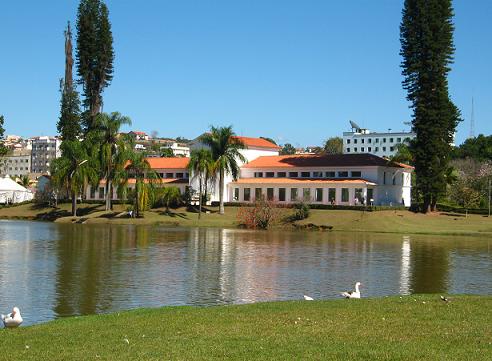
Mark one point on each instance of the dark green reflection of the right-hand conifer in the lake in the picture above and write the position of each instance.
(429, 267)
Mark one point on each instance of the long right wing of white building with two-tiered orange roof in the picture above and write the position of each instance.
(348, 179)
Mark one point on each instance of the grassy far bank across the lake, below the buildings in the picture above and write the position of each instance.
(405, 222)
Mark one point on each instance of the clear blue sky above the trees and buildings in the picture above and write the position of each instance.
(296, 71)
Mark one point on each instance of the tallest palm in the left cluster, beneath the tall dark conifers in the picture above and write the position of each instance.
(106, 134)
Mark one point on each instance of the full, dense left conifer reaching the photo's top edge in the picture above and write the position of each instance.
(95, 56)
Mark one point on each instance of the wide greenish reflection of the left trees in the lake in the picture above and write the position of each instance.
(86, 260)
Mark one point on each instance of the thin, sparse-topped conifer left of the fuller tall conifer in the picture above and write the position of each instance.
(68, 125)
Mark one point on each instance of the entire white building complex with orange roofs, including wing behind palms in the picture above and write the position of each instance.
(343, 179)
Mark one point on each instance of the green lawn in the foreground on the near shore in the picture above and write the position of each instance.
(408, 328)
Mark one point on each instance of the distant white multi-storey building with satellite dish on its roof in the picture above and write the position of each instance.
(382, 144)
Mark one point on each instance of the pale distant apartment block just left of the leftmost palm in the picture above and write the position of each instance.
(44, 150)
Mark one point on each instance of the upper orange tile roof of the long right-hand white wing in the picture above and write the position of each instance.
(317, 160)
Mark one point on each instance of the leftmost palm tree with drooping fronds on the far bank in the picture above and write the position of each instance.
(73, 170)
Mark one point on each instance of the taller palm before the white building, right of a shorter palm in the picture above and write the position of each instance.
(225, 154)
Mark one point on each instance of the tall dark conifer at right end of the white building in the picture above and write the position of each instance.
(426, 35)
